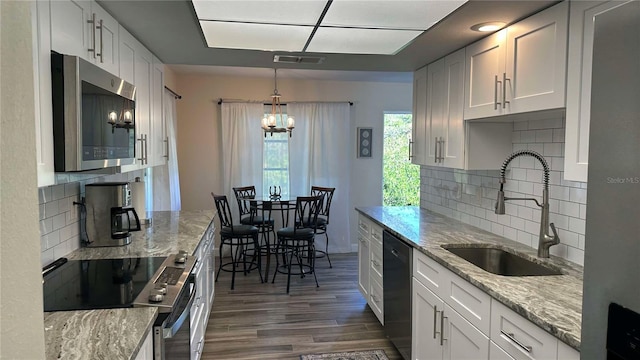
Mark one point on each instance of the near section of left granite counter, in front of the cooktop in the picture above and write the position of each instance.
(97, 334)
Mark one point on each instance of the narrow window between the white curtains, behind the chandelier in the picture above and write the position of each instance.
(275, 162)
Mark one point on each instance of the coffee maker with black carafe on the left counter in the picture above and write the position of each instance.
(110, 218)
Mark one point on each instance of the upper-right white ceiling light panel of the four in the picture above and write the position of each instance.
(397, 14)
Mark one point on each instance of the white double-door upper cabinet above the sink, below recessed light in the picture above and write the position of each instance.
(519, 69)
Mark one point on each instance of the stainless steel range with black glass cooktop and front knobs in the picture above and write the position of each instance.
(166, 283)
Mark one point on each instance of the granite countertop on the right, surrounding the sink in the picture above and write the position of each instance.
(552, 302)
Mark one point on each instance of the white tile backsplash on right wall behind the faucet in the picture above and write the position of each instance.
(470, 196)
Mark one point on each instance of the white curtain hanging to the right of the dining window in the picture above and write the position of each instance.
(320, 154)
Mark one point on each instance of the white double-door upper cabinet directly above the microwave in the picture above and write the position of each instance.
(83, 28)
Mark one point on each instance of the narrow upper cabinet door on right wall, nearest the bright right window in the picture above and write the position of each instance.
(419, 121)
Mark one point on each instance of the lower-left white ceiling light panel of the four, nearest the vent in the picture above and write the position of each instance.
(255, 36)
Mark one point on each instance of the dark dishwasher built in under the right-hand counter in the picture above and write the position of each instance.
(396, 258)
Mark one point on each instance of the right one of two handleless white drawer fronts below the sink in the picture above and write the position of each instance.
(471, 302)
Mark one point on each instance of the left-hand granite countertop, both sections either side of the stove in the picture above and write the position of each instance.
(119, 333)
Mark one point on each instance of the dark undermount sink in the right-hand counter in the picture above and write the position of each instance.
(500, 262)
